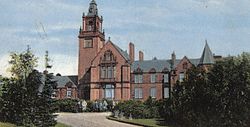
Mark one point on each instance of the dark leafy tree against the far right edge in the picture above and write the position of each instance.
(229, 82)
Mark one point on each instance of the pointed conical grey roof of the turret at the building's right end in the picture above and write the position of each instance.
(207, 56)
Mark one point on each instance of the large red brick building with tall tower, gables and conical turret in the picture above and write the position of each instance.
(106, 71)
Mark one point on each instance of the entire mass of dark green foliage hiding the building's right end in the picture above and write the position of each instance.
(219, 98)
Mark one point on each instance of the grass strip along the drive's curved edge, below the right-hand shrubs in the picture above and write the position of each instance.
(142, 122)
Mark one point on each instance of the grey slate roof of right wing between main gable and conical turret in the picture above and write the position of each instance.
(158, 65)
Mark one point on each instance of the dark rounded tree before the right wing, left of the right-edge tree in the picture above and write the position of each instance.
(191, 106)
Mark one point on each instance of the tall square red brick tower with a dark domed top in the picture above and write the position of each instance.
(91, 40)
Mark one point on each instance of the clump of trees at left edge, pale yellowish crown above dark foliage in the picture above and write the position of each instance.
(26, 97)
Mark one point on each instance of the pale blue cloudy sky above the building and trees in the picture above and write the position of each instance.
(157, 27)
